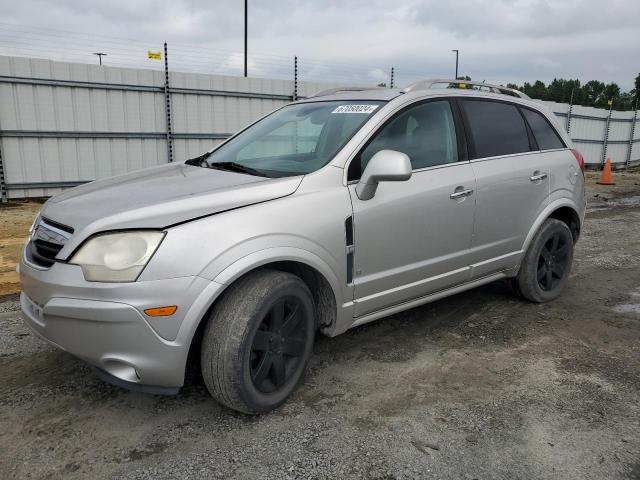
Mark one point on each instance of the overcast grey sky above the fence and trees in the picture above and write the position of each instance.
(345, 40)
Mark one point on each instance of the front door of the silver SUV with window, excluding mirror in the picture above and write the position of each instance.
(413, 238)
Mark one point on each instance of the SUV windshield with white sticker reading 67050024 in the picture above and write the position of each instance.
(295, 140)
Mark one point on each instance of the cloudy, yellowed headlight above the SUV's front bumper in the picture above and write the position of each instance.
(116, 257)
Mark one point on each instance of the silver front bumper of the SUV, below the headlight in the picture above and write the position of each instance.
(104, 323)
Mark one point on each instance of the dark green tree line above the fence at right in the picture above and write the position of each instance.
(591, 94)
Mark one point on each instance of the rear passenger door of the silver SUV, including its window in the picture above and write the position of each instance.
(512, 180)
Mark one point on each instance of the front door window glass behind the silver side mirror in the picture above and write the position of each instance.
(425, 132)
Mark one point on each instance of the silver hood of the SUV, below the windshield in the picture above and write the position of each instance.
(159, 197)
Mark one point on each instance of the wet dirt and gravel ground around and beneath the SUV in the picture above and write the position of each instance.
(481, 385)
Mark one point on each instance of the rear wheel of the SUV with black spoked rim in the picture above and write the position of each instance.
(545, 268)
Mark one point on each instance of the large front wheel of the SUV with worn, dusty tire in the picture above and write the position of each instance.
(258, 341)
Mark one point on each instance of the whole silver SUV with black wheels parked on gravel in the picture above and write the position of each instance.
(324, 215)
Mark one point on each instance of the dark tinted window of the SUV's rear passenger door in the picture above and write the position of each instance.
(496, 128)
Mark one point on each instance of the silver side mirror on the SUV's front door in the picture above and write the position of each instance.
(384, 166)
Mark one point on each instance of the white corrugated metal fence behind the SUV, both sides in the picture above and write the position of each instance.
(62, 124)
